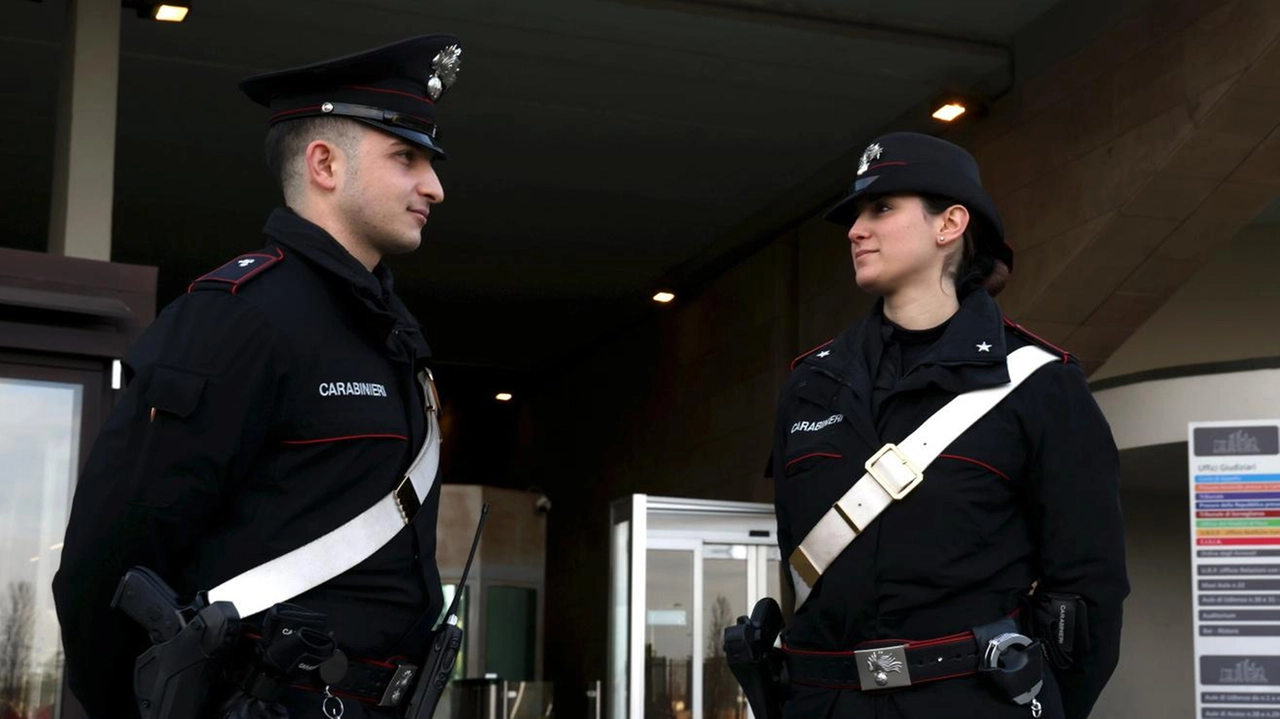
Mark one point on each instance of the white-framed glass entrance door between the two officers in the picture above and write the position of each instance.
(682, 571)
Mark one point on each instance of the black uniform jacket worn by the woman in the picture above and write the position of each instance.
(1030, 493)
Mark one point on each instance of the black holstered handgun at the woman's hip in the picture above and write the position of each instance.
(756, 663)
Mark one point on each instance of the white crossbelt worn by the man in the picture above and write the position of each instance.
(324, 558)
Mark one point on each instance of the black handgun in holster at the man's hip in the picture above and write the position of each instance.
(172, 679)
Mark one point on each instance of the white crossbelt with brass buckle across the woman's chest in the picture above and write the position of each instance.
(897, 470)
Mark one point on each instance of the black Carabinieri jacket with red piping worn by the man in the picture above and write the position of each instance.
(268, 406)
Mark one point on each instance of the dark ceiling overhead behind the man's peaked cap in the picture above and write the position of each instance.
(598, 148)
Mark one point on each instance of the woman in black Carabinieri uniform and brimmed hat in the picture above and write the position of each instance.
(1012, 534)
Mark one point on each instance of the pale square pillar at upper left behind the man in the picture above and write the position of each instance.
(80, 223)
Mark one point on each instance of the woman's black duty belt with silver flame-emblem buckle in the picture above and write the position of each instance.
(886, 665)
